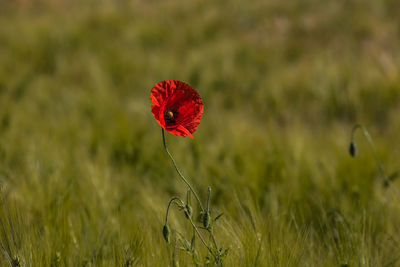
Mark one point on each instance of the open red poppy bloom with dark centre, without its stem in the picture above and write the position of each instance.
(177, 107)
